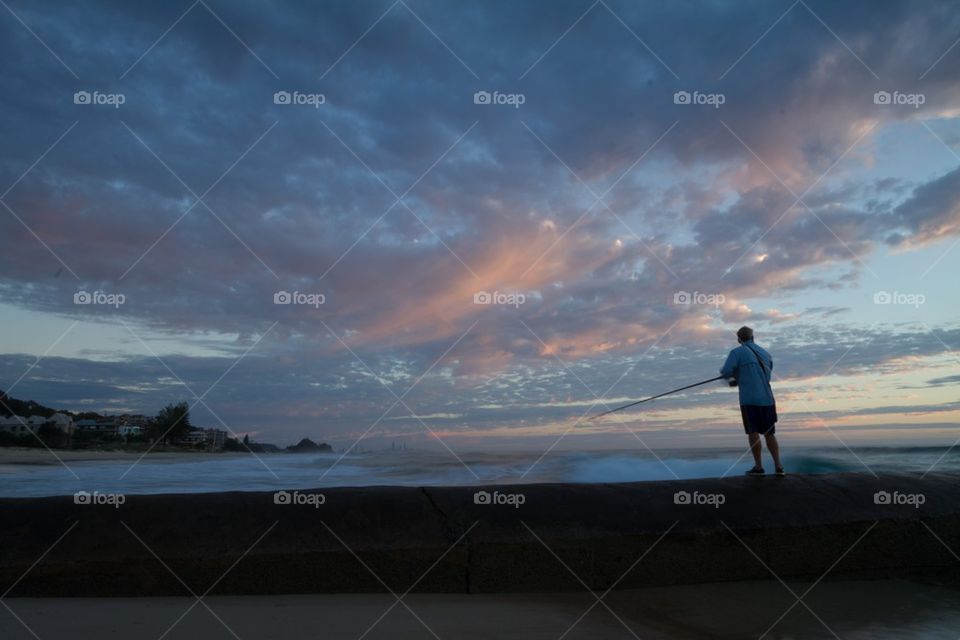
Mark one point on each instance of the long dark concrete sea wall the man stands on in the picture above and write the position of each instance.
(798, 526)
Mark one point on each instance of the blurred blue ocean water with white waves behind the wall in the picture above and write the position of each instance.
(194, 473)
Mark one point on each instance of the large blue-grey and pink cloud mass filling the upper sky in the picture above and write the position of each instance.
(599, 198)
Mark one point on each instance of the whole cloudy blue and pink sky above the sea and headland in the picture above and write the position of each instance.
(475, 224)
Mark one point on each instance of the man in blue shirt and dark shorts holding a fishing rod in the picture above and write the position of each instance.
(749, 367)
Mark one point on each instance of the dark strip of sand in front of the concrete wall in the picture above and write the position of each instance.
(849, 609)
